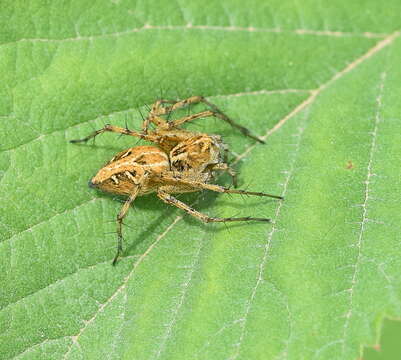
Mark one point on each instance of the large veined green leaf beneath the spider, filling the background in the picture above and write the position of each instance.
(319, 81)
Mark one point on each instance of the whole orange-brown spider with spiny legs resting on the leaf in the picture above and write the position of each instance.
(181, 161)
